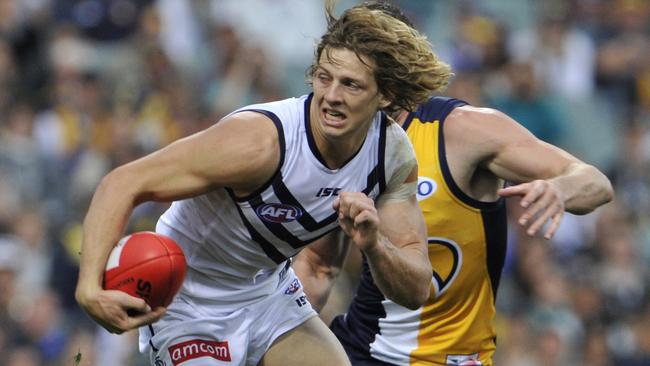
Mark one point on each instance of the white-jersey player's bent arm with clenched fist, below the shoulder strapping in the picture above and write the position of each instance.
(393, 238)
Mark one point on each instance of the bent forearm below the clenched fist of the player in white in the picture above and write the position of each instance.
(403, 274)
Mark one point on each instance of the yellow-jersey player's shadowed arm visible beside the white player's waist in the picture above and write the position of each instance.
(319, 264)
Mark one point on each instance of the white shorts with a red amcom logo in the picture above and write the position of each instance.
(191, 334)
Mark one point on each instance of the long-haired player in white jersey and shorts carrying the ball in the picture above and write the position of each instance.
(249, 192)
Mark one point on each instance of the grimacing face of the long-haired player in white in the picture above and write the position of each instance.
(346, 97)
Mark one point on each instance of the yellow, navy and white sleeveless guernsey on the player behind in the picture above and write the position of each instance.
(467, 245)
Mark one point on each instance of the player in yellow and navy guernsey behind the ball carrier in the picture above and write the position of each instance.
(464, 154)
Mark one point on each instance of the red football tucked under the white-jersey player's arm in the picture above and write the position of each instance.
(146, 265)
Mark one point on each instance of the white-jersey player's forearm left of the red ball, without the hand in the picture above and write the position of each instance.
(103, 227)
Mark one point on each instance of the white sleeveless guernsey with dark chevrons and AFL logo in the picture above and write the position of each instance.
(235, 245)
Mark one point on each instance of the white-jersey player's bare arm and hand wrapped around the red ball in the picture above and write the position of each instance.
(240, 152)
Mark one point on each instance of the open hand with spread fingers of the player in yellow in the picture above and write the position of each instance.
(542, 202)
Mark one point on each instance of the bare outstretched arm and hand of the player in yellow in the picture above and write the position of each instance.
(548, 179)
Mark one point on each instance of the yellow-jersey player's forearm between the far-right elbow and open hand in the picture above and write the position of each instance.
(583, 188)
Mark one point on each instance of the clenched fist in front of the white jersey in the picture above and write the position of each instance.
(358, 218)
